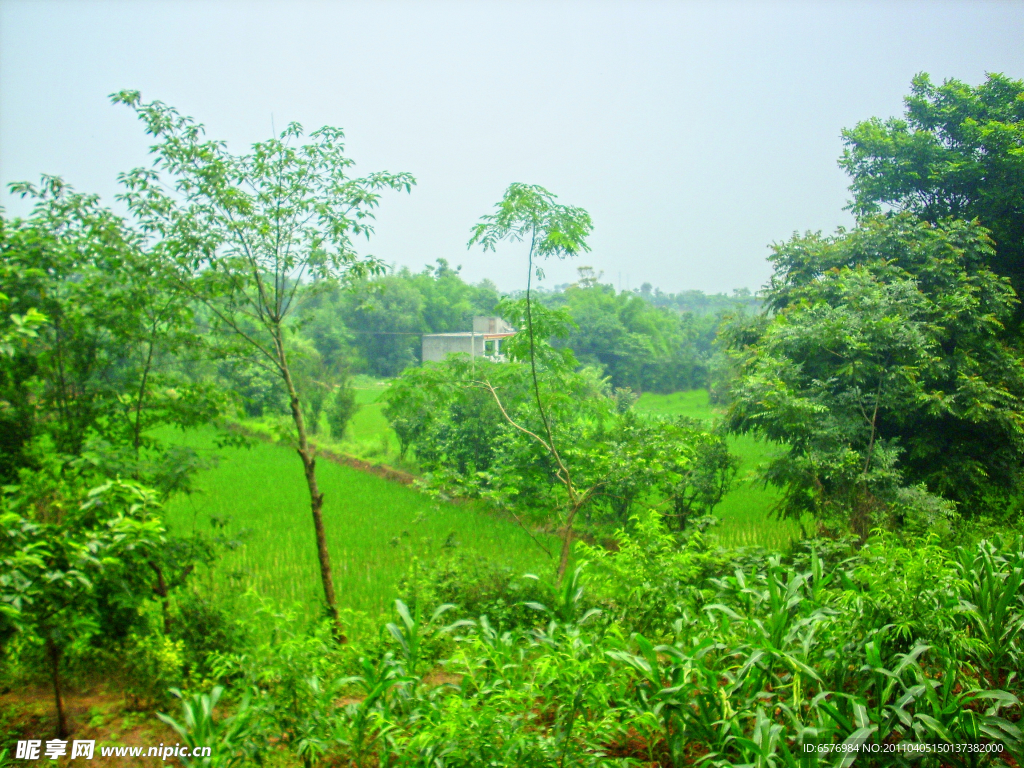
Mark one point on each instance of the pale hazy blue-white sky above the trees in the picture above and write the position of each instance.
(696, 135)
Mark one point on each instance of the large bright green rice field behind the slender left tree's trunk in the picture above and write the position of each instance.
(375, 528)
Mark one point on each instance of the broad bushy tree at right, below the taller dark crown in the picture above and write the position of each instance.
(884, 367)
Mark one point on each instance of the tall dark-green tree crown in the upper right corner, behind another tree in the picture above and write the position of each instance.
(959, 153)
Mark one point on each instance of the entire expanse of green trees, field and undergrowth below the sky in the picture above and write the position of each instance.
(561, 595)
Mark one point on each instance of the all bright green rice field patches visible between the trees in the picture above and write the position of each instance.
(376, 528)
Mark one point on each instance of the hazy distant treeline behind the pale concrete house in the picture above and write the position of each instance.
(645, 339)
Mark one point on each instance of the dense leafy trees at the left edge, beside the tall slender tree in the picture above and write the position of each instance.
(103, 371)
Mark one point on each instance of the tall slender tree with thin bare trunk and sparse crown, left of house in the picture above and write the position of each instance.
(245, 234)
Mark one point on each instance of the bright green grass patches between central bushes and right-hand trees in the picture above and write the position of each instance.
(744, 511)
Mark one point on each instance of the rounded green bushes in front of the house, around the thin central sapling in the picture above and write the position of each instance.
(452, 415)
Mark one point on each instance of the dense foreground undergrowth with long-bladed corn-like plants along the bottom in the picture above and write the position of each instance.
(774, 665)
